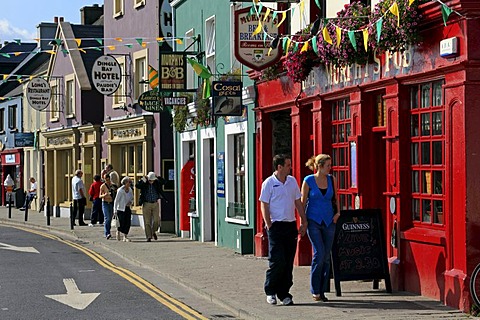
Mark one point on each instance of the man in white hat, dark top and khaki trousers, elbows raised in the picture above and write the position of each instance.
(150, 193)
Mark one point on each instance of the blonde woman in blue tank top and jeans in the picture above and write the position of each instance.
(317, 192)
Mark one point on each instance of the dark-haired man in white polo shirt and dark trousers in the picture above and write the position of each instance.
(279, 197)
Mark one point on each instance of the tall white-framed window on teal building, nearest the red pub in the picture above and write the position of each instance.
(235, 166)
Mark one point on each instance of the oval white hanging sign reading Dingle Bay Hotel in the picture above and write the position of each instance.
(106, 75)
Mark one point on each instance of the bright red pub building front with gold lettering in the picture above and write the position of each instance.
(403, 132)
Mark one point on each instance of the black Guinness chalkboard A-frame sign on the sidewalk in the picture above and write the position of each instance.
(359, 251)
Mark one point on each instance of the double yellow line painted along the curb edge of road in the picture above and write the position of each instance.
(157, 294)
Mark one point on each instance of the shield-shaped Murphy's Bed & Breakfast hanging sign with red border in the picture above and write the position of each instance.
(252, 49)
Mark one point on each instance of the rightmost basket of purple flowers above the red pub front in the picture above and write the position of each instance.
(396, 34)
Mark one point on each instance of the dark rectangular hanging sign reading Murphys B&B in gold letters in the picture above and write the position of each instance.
(173, 72)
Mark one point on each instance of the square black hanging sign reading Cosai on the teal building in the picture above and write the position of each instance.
(227, 98)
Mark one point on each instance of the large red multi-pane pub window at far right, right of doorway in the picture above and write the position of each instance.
(427, 153)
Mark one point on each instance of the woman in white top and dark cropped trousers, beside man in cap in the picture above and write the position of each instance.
(121, 207)
